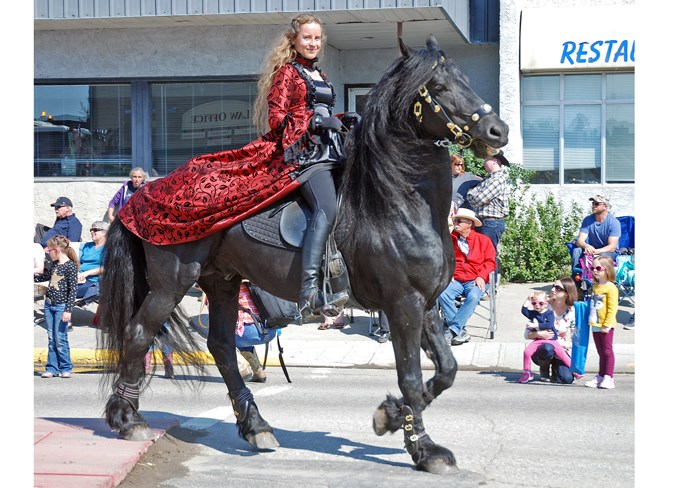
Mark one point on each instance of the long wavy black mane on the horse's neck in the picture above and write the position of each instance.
(384, 150)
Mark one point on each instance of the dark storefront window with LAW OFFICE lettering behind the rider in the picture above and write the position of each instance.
(190, 119)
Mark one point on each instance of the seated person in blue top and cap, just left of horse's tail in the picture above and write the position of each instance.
(91, 264)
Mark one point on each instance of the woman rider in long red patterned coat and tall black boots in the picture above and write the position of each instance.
(214, 191)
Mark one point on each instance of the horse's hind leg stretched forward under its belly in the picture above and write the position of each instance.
(223, 311)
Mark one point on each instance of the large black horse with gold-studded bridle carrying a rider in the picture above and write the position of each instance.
(396, 194)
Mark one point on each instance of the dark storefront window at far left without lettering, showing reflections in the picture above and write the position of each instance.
(82, 130)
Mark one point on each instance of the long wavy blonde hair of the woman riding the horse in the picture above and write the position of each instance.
(281, 53)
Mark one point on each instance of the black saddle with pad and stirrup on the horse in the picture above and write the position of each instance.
(283, 225)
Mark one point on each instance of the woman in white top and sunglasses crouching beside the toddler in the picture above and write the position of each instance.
(562, 298)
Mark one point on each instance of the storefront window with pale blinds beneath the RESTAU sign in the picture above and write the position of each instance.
(579, 128)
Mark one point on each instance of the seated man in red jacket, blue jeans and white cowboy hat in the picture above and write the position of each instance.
(475, 259)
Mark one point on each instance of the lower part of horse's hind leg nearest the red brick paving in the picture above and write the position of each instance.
(122, 408)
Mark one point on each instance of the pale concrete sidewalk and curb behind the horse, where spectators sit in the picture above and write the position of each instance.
(352, 346)
